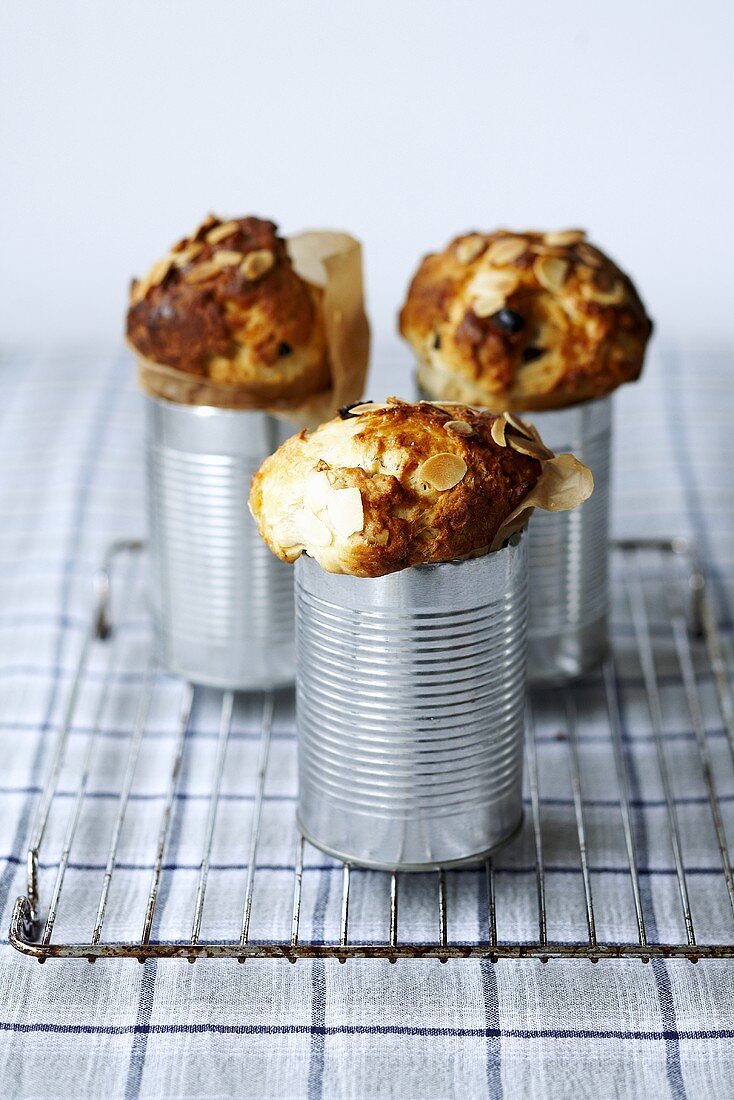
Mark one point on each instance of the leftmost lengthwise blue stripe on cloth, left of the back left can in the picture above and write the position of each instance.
(87, 474)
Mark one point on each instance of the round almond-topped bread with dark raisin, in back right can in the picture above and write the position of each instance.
(524, 321)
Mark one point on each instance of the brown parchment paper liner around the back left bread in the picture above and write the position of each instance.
(330, 260)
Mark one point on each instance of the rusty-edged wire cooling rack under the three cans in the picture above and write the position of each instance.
(625, 852)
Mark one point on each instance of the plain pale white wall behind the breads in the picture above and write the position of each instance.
(406, 123)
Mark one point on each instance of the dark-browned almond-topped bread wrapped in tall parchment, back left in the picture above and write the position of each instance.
(226, 304)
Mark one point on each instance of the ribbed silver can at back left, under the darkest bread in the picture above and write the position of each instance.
(223, 604)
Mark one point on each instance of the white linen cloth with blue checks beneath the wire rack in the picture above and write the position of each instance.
(71, 482)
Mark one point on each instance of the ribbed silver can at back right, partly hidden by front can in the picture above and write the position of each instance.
(569, 553)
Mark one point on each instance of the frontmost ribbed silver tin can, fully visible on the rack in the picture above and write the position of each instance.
(410, 703)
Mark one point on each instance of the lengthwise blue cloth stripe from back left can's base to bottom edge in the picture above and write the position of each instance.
(137, 1064)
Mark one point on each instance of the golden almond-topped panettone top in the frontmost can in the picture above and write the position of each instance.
(384, 488)
